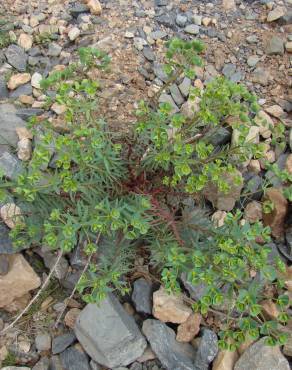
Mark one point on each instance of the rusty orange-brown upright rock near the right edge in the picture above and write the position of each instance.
(275, 219)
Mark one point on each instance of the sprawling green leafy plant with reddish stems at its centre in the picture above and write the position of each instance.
(142, 193)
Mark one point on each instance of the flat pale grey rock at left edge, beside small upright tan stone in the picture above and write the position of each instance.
(9, 121)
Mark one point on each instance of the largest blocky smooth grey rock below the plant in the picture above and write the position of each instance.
(109, 320)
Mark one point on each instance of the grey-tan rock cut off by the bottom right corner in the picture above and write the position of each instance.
(261, 357)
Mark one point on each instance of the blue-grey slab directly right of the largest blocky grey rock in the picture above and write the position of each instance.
(172, 354)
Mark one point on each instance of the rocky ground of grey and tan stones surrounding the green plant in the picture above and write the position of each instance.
(248, 42)
